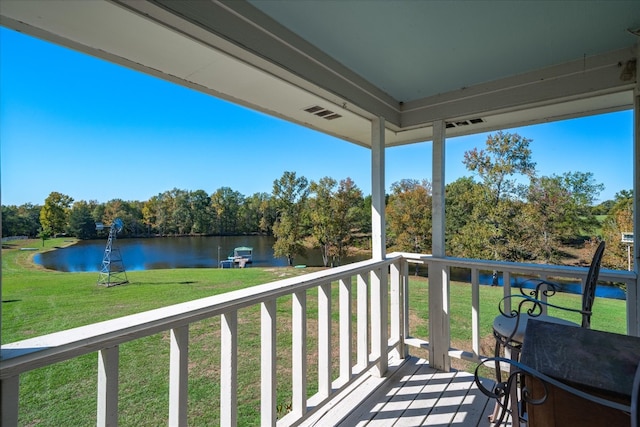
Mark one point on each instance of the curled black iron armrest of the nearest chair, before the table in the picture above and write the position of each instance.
(502, 391)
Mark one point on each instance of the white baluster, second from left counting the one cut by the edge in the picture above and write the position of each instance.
(107, 415)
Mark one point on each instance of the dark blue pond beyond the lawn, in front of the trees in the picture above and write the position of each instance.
(206, 252)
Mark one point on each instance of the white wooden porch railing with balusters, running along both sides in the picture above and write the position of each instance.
(381, 310)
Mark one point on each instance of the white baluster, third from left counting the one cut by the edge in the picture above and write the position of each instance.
(178, 376)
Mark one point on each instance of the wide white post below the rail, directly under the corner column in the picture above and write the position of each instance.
(379, 320)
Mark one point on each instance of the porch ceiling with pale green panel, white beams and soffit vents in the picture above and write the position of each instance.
(481, 65)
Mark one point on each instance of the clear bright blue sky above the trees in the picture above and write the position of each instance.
(96, 131)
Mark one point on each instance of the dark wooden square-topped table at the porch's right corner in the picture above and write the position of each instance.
(600, 363)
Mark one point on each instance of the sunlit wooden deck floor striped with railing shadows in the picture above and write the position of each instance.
(413, 394)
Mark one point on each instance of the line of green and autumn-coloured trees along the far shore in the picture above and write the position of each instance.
(502, 211)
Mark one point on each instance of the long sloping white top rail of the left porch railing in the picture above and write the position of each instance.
(25, 355)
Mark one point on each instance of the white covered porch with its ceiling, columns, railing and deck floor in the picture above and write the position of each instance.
(381, 74)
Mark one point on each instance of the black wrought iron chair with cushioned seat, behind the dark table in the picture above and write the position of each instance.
(510, 324)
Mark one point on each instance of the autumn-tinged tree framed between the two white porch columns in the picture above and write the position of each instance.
(409, 215)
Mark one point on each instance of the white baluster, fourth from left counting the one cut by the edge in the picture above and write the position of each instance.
(229, 369)
